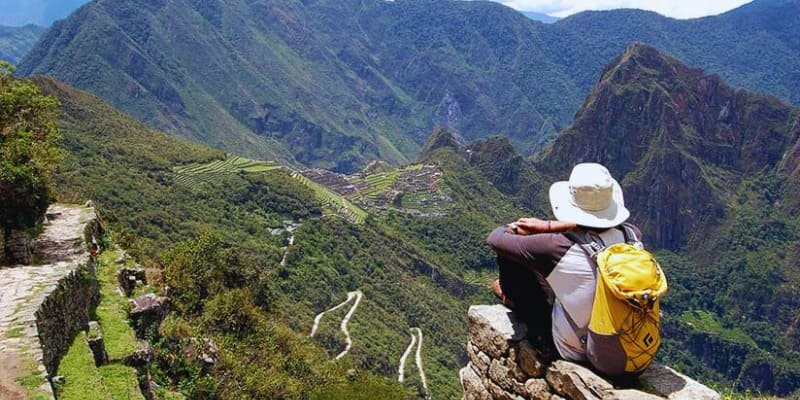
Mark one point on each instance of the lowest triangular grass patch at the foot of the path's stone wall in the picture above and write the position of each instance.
(82, 380)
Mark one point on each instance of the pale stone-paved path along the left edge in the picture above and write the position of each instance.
(22, 290)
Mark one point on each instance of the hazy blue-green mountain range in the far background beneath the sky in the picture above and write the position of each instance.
(338, 83)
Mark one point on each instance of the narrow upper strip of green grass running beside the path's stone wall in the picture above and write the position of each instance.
(120, 340)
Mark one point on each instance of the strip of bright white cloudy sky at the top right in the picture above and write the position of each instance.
(670, 8)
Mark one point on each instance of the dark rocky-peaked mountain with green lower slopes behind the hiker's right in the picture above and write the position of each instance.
(710, 175)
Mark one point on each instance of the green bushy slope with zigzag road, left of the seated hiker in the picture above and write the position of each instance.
(257, 241)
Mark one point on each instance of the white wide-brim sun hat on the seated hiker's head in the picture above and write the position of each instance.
(591, 198)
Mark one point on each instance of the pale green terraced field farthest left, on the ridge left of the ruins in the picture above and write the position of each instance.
(197, 173)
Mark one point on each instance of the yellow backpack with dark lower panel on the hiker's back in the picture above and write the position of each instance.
(624, 334)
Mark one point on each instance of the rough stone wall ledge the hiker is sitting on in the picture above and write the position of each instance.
(504, 364)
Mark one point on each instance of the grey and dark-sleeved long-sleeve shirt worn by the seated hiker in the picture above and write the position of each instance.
(569, 274)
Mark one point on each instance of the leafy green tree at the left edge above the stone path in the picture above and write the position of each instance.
(29, 154)
